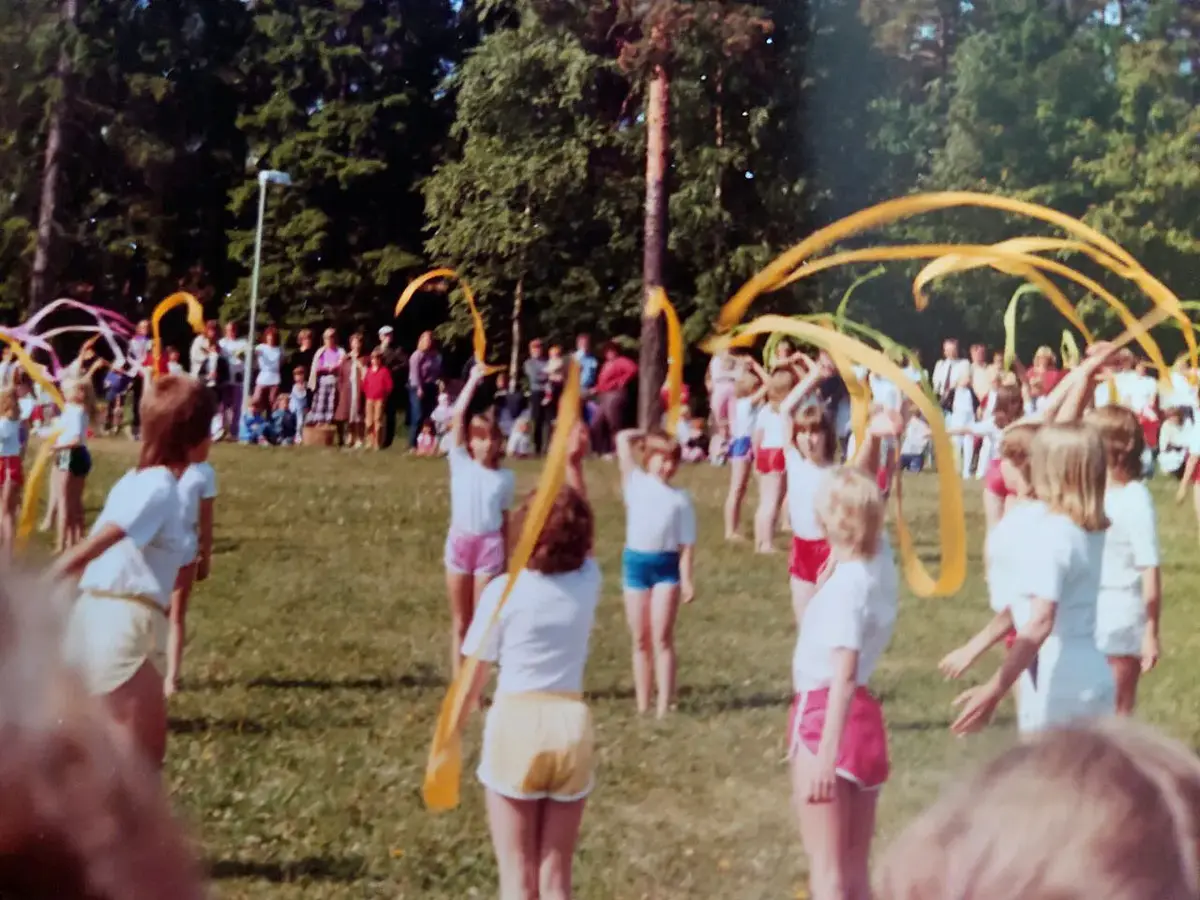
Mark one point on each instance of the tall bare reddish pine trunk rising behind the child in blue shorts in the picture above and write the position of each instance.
(653, 365)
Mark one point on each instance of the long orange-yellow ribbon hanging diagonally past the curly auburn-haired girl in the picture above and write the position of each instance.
(443, 773)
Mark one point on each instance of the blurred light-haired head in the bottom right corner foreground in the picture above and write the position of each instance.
(1101, 812)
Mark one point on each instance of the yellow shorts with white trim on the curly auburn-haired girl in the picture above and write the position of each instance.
(538, 747)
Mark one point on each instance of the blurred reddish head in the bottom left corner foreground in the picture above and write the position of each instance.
(82, 818)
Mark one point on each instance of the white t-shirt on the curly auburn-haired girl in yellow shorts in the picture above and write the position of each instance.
(542, 638)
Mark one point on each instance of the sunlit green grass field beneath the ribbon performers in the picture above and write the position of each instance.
(319, 658)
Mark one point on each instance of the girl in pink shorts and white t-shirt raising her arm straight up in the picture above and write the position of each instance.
(481, 496)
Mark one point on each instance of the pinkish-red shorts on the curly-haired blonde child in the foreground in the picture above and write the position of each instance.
(863, 755)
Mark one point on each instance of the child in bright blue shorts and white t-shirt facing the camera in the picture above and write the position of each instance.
(658, 563)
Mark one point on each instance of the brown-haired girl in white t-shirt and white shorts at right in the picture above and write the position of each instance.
(1131, 585)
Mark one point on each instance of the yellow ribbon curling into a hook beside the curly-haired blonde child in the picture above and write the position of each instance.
(952, 520)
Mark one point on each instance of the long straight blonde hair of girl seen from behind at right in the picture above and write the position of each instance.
(1069, 472)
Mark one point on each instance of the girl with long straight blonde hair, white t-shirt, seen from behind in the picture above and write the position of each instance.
(1055, 592)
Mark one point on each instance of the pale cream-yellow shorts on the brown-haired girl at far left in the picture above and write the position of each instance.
(109, 639)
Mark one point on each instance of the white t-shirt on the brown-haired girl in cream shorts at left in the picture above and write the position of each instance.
(149, 508)
